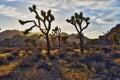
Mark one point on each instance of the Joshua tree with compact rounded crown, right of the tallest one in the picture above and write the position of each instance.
(78, 21)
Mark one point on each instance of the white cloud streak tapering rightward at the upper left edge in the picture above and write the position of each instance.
(10, 12)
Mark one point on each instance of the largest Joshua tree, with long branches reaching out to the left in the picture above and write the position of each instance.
(46, 19)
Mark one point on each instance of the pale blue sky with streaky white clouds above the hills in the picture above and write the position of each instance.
(104, 14)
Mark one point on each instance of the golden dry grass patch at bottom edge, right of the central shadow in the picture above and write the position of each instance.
(75, 74)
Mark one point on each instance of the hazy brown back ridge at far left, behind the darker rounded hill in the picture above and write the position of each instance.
(9, 34)
